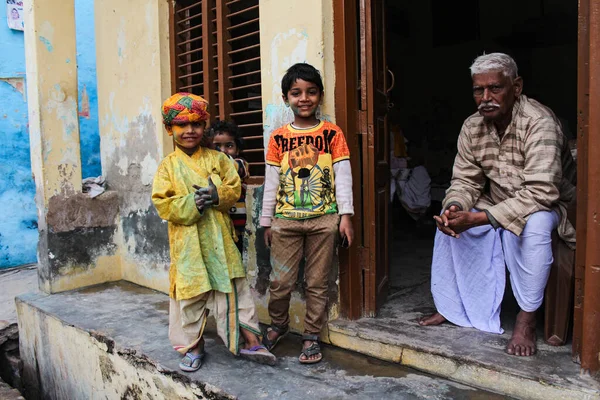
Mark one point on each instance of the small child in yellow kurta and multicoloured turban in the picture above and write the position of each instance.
(193, 190)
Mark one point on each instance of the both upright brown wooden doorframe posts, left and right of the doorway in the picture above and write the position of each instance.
(586, 341)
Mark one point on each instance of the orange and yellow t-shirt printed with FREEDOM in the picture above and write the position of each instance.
(306, 178)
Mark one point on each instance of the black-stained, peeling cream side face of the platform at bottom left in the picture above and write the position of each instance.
(62, 361)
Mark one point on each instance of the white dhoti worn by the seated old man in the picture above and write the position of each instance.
(468, 274)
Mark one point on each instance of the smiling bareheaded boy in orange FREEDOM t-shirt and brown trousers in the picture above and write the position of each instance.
(308, 186)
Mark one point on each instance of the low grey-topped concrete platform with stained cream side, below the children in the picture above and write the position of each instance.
(110, 342)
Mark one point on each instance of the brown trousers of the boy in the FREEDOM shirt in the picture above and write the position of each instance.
(314, 239)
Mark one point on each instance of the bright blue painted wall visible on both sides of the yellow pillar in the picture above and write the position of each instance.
(18, 219)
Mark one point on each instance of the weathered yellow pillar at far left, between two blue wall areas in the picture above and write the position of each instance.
(52, 96)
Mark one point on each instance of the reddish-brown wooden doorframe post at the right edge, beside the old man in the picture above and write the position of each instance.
(586, 341)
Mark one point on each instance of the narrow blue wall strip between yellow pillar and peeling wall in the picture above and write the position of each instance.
(86, 71)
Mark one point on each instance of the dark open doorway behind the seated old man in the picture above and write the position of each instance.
(430, 46)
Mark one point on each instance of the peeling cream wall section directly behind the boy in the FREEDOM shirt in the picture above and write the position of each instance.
(308, 37)
